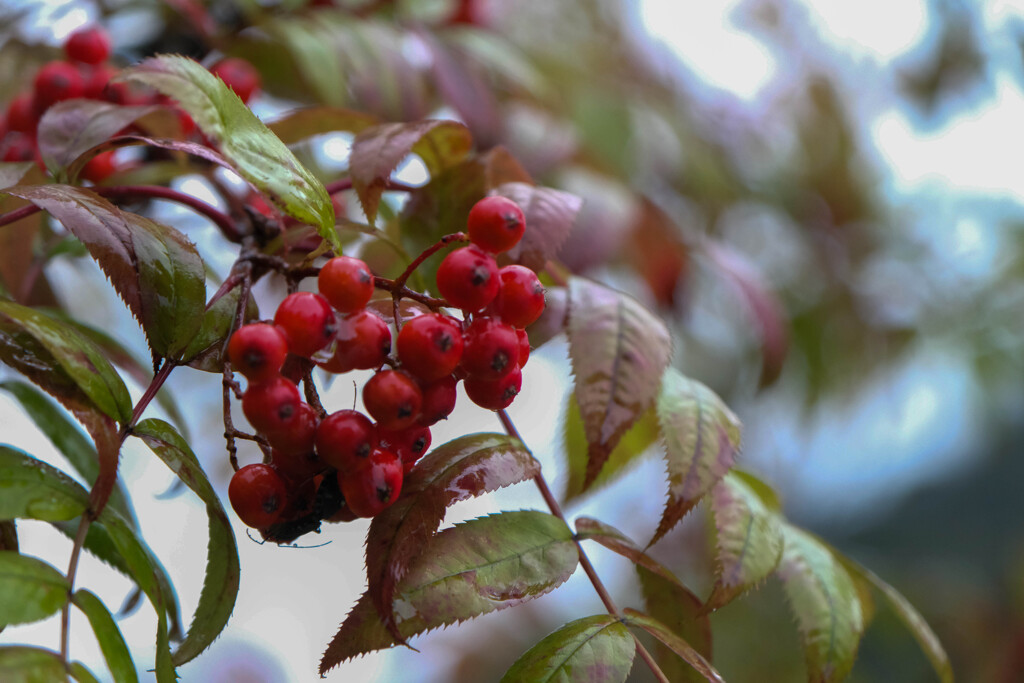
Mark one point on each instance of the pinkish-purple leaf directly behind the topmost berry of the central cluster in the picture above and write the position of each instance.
(550, 216)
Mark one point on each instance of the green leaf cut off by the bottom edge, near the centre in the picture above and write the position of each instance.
(593, 650)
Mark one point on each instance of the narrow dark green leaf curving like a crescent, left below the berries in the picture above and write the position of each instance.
(221, 588)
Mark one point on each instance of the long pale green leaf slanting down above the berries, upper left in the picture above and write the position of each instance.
(255, 153)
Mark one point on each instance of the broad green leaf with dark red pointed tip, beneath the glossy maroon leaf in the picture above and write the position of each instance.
(473, 569)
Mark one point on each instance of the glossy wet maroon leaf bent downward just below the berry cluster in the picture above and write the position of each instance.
(464, 468)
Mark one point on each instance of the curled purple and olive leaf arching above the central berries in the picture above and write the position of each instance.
(377, 152)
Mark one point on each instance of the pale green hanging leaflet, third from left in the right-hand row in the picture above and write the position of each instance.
(749, 538)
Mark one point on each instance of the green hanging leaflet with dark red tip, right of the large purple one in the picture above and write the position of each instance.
(702, 441)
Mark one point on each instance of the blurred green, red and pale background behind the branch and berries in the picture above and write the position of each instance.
(823, 198)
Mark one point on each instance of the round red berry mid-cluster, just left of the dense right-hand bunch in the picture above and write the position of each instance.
(431, 347)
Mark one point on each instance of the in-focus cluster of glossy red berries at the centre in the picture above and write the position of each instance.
(363, 458)
